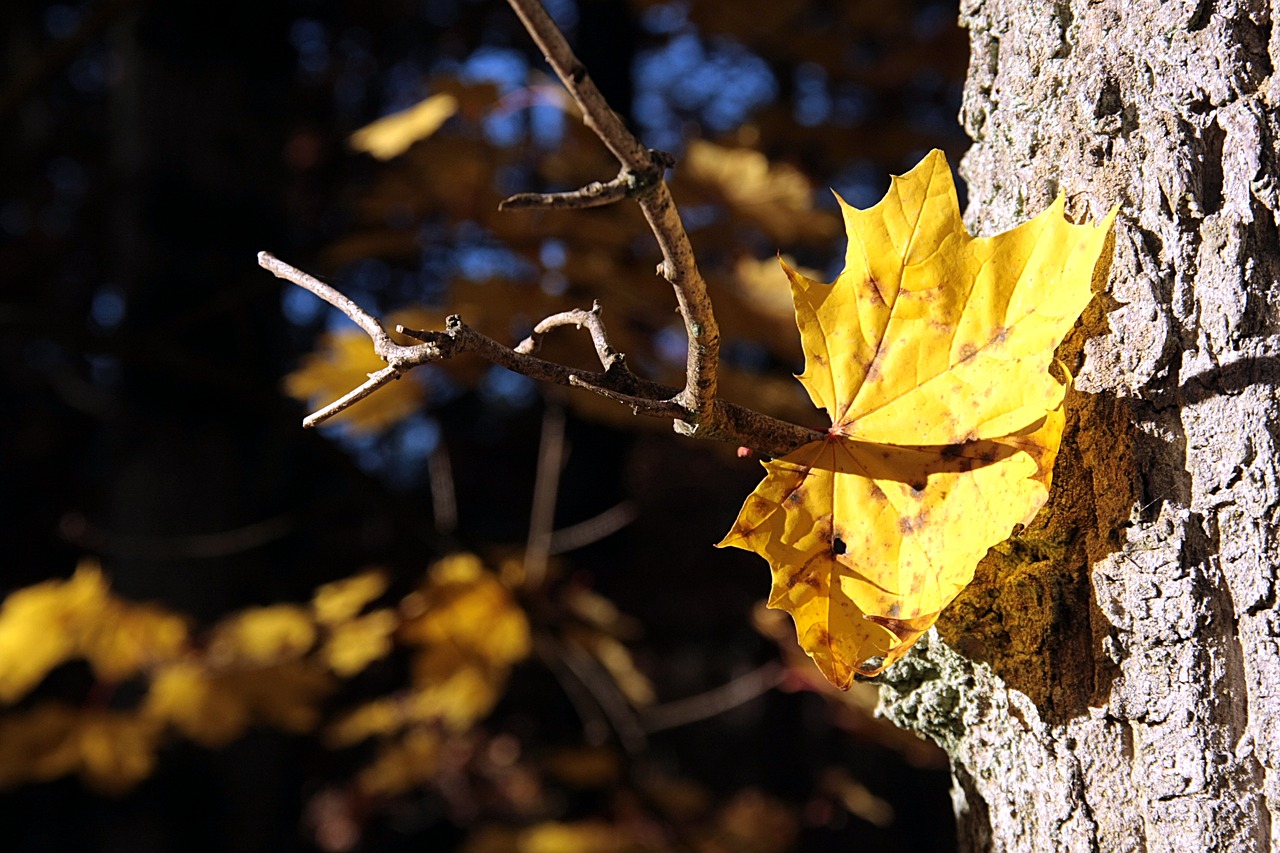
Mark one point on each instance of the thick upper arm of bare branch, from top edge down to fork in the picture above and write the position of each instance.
(660, 209)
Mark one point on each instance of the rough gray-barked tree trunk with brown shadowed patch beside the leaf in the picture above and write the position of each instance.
(1112, 681)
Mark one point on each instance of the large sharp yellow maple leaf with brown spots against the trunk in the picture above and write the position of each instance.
(931, 353)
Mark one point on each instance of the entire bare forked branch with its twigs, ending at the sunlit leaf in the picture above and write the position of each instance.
(696, 409)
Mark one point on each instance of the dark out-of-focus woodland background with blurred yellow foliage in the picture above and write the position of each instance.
(478, 615)
